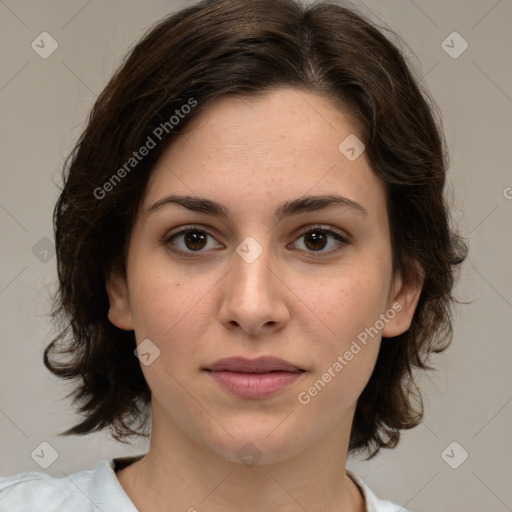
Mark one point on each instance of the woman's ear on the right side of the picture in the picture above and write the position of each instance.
(403, 299)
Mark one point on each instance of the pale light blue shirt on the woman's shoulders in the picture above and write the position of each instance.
(99, 490)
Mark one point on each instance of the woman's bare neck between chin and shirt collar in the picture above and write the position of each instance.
(182, 475)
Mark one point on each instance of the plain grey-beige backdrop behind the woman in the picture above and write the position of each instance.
(44, 104)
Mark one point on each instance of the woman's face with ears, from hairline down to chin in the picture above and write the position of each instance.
(263, 280)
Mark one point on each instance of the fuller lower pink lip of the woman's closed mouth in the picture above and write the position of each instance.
(254, 385)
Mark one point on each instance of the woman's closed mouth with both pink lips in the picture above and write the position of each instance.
(256, 378)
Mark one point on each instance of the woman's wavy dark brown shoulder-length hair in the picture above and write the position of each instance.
(246, 47)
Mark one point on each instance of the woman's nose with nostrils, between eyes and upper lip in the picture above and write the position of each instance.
(254, 295)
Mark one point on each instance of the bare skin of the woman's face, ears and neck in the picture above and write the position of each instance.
(250, 154)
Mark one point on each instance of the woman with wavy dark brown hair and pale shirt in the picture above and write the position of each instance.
(255, 210)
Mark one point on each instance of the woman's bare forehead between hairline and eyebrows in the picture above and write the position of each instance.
(258, 151)
